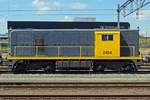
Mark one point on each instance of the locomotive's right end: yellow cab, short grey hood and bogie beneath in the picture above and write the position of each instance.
(117, 50)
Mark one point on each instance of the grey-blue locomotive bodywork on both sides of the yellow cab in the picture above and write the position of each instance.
(66, 39)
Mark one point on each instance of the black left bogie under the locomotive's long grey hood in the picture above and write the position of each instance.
(23, 66)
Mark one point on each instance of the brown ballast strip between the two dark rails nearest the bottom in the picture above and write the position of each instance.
(73, 90)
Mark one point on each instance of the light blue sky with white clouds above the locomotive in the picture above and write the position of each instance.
(66, 10)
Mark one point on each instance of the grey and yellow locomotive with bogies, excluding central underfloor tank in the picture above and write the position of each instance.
(107, 48)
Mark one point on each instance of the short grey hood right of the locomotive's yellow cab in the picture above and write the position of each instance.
(129, 38)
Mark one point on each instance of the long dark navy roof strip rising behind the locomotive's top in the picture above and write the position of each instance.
(64, 25)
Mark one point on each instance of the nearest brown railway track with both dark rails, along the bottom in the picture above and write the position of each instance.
(74, 91)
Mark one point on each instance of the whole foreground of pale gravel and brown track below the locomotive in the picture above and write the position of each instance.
(74, 87)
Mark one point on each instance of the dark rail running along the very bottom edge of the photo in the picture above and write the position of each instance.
(124, 97)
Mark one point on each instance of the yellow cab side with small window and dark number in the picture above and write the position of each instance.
(107, 44)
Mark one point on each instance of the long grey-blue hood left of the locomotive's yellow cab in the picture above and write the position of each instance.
(51, 40)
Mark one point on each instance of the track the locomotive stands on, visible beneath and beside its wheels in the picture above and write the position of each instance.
(142, 70)
